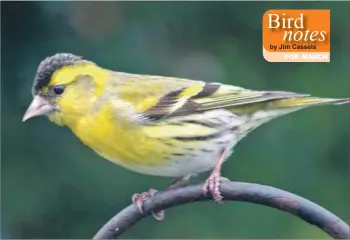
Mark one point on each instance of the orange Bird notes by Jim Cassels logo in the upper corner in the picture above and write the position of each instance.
(296, 35)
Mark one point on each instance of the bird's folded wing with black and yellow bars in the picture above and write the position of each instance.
(201, 96)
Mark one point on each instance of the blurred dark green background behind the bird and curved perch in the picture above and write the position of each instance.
(55, 187)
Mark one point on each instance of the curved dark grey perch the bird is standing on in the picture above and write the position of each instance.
(236, 191)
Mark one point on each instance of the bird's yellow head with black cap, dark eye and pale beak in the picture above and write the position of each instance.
(64, 87)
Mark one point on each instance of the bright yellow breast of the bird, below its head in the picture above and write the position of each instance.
(120, 141)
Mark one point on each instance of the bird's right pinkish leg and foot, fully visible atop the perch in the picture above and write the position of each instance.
(212, 184)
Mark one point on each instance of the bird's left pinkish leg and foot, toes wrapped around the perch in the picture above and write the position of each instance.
(139, 198)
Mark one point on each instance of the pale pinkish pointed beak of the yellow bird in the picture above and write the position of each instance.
(39, 106)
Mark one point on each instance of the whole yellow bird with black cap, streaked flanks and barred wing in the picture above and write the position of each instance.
(156, 125)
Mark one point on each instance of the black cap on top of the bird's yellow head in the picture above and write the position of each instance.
(49, 65)
